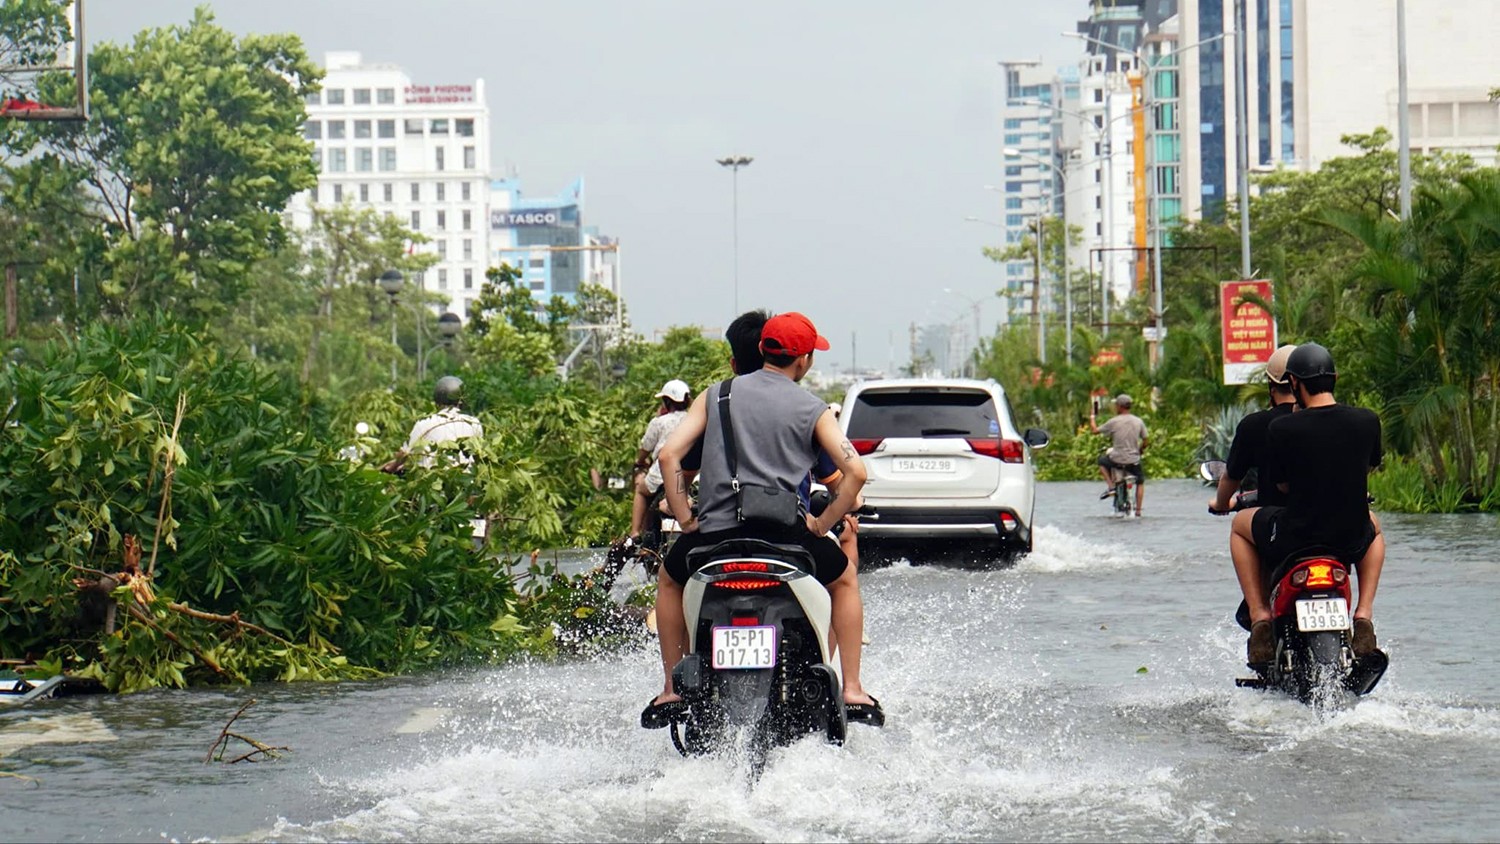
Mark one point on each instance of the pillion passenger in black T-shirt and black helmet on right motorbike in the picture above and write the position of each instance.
(1321, 456)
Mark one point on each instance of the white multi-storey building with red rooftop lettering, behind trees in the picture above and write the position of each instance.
(415, 152)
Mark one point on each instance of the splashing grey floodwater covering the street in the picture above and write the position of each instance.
(1084, 695)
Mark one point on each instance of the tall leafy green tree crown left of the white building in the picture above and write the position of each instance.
(191, 154)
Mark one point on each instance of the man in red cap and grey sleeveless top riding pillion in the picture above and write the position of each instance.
(779, 428)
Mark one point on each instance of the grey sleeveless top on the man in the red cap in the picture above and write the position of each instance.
(773, 422)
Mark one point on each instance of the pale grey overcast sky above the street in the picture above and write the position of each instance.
(874, 127)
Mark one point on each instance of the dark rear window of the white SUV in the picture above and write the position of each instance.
(884, 415)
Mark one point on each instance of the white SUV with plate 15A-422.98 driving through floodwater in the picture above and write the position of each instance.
(946, 464)
